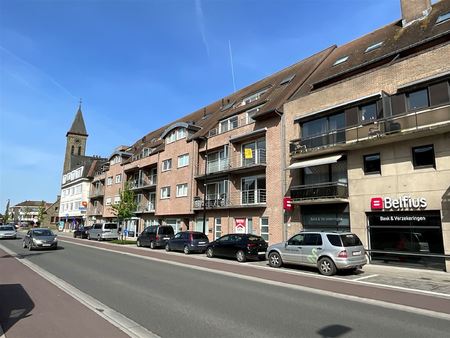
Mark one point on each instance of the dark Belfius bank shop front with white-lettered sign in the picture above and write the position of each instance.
(402, 232)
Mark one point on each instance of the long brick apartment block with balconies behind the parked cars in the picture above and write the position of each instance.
(334, 132)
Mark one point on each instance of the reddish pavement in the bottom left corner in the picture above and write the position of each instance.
(33, 307)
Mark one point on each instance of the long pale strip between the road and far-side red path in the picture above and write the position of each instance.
(400, 307)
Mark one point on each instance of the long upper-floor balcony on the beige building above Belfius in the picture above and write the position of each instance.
(381, 131)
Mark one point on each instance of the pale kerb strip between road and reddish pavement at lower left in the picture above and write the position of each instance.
(128, 326)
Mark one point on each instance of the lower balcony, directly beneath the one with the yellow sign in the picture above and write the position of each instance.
(245, 198)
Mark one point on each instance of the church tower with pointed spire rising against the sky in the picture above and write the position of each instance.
(76, 140)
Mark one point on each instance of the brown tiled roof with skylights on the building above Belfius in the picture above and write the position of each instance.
(388, 44)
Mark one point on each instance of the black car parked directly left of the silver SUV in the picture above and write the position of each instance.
(240, 246)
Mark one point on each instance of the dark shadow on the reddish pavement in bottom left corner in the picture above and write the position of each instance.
(15, 304)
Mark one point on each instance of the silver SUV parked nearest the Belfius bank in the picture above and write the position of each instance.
(328, 251)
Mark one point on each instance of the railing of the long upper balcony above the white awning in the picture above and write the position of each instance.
(410, 122)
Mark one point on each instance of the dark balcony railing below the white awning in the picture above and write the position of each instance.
(319, 191)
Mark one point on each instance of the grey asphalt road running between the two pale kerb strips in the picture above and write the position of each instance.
(175, 301)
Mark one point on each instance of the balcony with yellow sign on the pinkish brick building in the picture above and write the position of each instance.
(236, 165)
